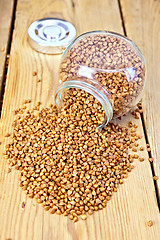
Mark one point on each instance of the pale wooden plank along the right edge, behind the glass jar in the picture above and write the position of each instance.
(142, 20)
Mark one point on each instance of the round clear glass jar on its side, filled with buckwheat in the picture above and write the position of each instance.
(107, 65)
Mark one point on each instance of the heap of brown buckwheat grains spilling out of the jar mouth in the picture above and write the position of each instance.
(65, 162)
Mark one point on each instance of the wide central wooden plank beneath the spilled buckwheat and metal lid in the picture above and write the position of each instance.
(135, 202)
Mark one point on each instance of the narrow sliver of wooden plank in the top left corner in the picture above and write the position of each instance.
(6, 12)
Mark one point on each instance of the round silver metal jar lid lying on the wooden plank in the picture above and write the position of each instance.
(50, 35)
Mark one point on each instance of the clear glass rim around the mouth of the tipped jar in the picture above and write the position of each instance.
(95, 89)
